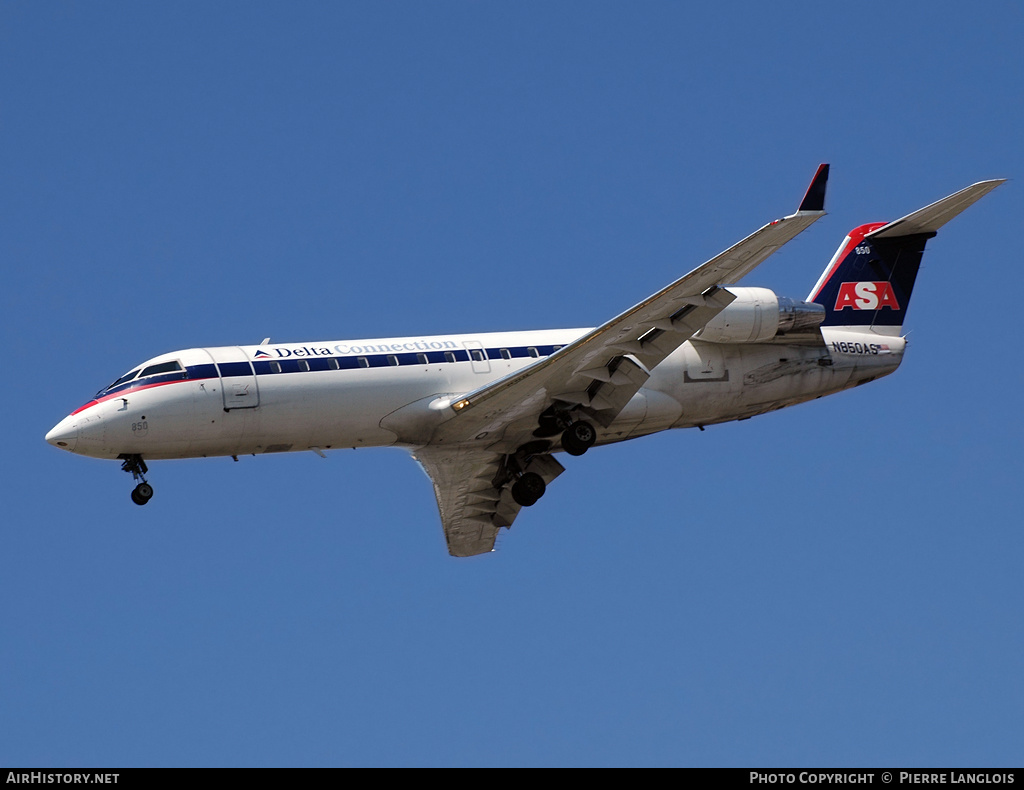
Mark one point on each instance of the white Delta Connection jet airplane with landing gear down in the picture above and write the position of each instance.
(486, 414)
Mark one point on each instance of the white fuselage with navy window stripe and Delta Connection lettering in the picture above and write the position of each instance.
(396, 392)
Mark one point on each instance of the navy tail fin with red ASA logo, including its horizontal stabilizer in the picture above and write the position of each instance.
(870, 280)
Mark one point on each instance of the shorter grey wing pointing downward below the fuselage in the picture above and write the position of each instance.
(473, 509)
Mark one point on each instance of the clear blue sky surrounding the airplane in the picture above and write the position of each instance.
(835, 585)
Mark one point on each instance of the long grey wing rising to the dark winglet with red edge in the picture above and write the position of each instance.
(603, 370)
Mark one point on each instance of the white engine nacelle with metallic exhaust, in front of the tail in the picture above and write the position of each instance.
(758, 315)
